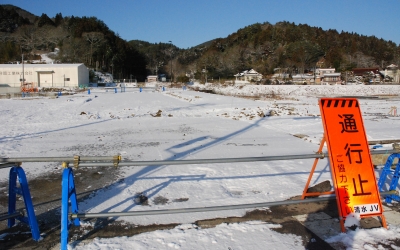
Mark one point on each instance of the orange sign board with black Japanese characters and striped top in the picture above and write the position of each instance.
(350, 159)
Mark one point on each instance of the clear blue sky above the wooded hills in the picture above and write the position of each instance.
(188, 23)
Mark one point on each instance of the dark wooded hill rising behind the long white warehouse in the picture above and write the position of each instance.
(79, 39)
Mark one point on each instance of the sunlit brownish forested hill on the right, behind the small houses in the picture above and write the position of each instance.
(296, 48)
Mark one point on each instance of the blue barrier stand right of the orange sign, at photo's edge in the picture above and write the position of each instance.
(395, 179)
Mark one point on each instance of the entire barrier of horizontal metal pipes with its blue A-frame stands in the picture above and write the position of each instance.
(69, 199)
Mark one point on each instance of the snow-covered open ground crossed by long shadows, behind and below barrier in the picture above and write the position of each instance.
(176, 125)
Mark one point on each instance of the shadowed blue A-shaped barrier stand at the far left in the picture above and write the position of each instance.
(24, 191)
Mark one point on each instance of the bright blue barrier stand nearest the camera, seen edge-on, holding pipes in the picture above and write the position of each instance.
(68, 193)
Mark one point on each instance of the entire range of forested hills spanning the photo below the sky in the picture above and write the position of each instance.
(263, 47)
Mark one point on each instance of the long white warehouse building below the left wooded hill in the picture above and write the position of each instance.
(44, 75)
